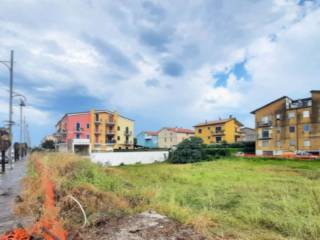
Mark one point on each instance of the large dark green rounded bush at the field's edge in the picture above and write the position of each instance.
(188, 151)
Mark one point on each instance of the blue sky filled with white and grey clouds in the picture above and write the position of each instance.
(161, 63)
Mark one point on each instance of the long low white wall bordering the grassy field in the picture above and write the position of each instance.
(116, 158)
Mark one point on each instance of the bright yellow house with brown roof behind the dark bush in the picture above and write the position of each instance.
(218, 131)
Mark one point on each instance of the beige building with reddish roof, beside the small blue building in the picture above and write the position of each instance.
(170, 137)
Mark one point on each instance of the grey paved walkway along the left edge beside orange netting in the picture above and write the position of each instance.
(9, 189)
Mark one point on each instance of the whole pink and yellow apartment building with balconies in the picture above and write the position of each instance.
(90, 131)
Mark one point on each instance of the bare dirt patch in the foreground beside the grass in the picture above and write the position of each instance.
(144, 226)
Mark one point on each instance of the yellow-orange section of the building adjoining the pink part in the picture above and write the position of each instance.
(110, 131)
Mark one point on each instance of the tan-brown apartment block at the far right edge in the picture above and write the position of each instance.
(288, 126)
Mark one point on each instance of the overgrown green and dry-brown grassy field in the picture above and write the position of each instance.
(233, 198)
